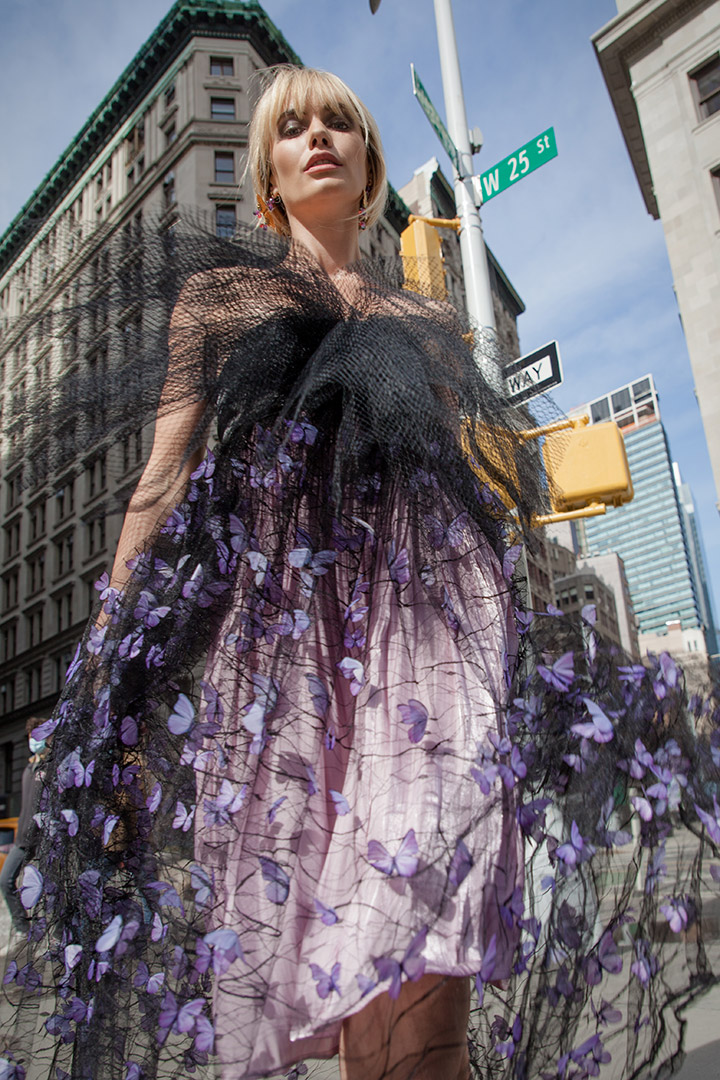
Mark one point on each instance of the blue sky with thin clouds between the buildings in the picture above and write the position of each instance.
(575, 237)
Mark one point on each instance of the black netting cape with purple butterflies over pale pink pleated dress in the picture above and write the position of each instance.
(313, 750)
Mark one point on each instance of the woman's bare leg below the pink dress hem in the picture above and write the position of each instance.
(422, 1036)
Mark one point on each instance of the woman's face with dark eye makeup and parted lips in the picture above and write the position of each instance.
(319, 165)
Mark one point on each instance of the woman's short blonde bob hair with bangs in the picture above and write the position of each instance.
(289, 88)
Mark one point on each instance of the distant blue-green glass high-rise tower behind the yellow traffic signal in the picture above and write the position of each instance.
(650, 533)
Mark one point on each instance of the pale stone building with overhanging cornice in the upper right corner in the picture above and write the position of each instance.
(661, 62)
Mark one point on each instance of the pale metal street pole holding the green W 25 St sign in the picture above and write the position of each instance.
(472, 244)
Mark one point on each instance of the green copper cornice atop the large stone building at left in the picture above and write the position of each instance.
(187, 19)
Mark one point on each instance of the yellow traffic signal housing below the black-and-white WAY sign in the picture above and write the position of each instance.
(588, 466)
